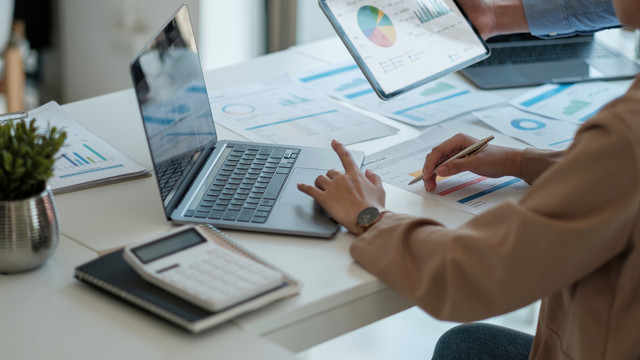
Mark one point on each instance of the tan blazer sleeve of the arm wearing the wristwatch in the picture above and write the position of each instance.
(575, 217)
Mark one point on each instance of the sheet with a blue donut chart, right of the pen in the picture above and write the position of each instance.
(537, 131)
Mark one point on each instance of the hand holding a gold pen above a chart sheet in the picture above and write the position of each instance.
(492, 161)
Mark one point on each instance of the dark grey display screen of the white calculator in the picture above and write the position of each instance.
(168, 245)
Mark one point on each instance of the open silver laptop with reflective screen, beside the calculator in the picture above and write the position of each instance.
(229, 184)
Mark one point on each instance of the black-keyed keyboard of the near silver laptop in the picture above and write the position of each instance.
(246, 187)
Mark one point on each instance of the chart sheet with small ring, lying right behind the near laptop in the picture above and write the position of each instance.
(284, 112)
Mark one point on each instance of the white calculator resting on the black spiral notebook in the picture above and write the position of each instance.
(188, 264)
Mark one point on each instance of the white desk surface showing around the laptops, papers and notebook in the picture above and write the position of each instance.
(337, 296)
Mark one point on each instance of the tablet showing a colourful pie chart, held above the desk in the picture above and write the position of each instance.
(400, 45)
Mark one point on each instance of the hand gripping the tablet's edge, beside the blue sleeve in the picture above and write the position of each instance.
(496, 17)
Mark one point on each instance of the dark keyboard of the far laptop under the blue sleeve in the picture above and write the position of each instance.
(538, 53)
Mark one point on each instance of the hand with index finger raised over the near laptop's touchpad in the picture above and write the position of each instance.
(344, 195)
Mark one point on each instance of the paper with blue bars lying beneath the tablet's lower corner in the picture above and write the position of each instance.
(427, 105)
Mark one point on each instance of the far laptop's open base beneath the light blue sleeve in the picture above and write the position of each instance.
(525, 60)
